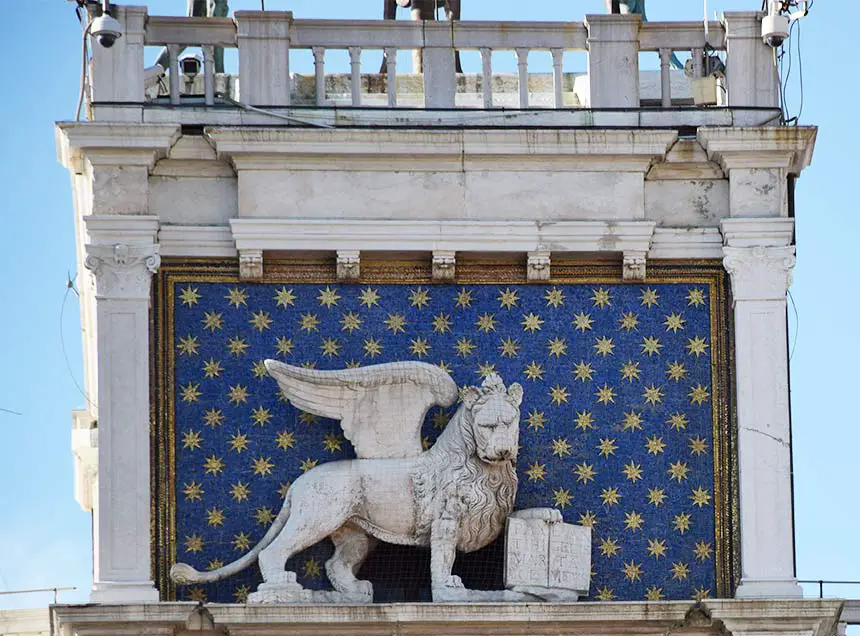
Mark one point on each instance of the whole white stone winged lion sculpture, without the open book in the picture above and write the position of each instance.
(455, 496)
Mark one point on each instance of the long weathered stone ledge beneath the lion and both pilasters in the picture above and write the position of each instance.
(795, 618)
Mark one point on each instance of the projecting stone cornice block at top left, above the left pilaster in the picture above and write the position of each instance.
(113, 143)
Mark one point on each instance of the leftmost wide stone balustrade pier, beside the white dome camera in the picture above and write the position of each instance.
(117, 72)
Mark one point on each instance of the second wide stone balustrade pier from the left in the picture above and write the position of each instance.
(264, 57)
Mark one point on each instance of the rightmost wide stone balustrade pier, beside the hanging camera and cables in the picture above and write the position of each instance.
(751, 75)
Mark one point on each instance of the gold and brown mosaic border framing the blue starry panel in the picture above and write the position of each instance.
(704, 272)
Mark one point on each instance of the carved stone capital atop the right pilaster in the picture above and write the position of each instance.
(759, 273)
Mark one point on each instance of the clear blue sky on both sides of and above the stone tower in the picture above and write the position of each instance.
(44, 535)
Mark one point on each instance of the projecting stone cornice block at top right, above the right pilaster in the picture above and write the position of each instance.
(772, 147)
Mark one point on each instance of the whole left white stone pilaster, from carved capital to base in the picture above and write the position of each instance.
(122, 561)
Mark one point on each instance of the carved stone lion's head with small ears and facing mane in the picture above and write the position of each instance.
(495, 416)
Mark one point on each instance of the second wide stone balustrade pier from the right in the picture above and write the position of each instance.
(613, 60)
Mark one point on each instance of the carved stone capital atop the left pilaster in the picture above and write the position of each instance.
(123, 271)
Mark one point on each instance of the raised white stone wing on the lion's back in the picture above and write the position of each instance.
(381, 408)
